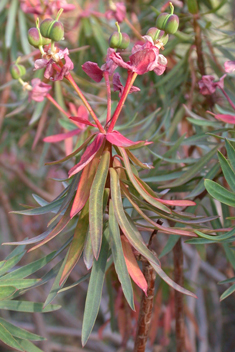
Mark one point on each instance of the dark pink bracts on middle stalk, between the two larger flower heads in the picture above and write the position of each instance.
(95, 72)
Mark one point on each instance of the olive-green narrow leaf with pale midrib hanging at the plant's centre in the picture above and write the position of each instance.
(95, 204)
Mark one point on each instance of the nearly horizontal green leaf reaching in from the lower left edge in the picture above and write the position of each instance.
(27, 307)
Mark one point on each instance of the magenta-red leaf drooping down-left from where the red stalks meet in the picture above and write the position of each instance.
(88, 155)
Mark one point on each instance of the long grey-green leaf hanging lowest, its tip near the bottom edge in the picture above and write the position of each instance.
(95, 290)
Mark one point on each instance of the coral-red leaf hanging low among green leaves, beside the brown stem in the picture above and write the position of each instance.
(133, 267)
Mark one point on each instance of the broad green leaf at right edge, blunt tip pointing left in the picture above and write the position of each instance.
(220, 193)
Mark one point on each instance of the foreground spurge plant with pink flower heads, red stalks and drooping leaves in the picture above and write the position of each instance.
(103, 184)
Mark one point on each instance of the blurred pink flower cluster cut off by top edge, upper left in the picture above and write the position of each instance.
(47, 7)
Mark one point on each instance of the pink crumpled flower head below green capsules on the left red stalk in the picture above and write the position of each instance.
(48, 64)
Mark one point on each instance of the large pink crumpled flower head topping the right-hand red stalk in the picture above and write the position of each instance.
(145, 57)
